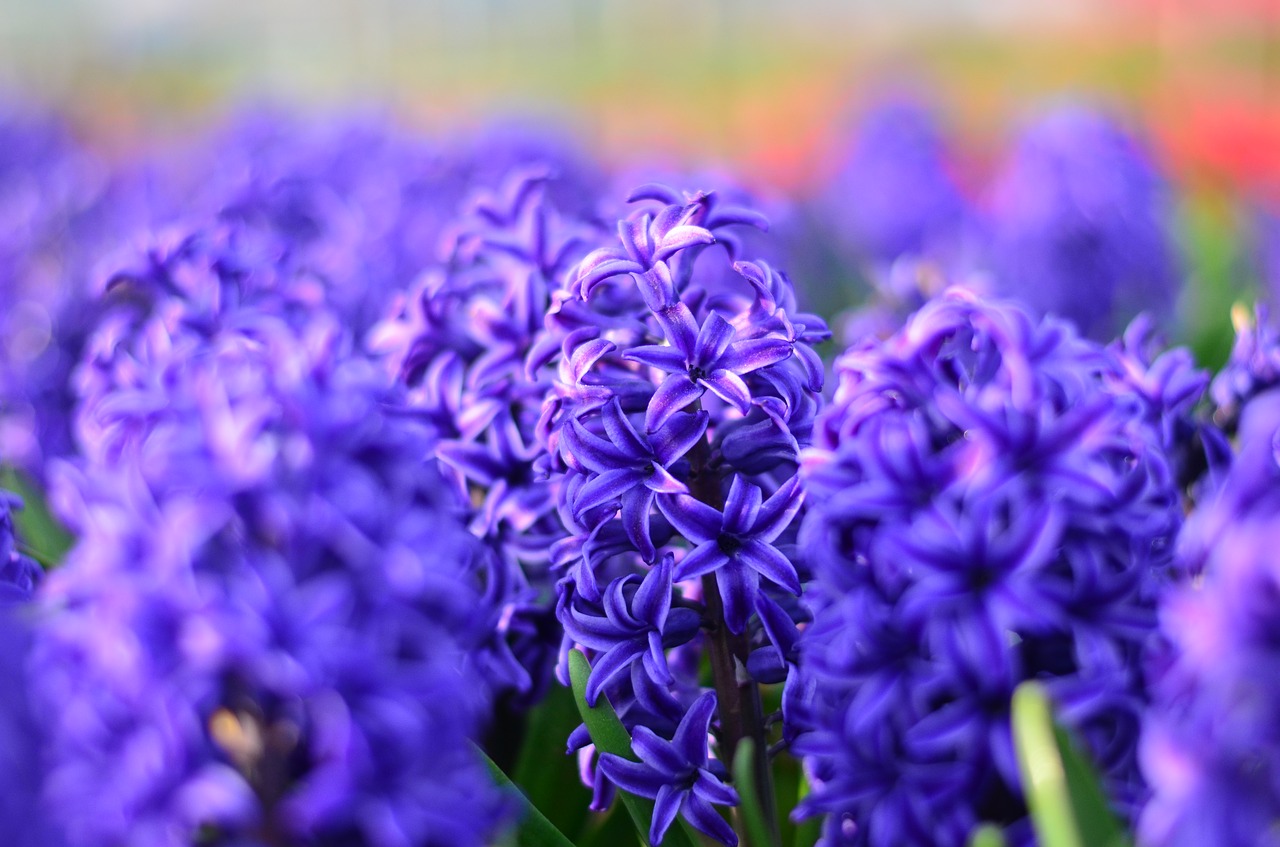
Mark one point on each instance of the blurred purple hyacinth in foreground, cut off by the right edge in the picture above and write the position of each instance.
(1210, 739)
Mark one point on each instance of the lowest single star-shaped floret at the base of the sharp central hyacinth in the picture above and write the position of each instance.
(678, 776)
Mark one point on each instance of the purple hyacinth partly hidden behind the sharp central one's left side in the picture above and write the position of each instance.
(458, 342)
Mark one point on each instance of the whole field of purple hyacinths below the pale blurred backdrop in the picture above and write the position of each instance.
(369, 480)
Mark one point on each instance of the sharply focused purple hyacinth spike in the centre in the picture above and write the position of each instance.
(674, 424)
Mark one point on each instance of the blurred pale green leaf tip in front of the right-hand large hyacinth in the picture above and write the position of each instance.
(1067, 803)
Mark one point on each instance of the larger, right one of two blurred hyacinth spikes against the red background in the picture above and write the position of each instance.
(1081, 225)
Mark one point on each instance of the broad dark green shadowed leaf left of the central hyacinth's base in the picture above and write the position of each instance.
(543, 771)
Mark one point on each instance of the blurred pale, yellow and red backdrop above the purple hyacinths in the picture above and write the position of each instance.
(772, 90)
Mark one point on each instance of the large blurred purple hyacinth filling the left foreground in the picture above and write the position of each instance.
(275, 628)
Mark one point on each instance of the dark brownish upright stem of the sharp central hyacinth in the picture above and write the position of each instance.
(740, 712)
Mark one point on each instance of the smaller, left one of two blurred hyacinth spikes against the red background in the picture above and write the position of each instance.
(897, 194)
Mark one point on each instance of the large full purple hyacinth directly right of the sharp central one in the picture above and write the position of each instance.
(990, 503)
